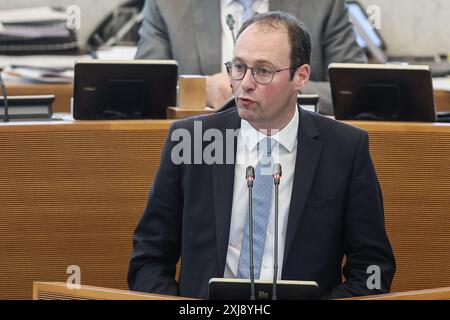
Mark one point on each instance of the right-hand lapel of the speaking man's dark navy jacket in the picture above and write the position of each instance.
(308, 155)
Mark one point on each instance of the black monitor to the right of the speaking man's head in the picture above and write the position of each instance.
(382, 92)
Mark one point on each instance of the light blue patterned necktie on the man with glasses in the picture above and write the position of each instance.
(262, 200)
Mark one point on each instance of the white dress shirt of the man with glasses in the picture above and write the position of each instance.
(285, 153)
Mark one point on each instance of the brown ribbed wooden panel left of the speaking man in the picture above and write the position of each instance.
(72, 197)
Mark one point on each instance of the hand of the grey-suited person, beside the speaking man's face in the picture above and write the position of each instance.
(218, 90)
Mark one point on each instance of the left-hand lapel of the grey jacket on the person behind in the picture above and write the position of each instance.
(208, 31)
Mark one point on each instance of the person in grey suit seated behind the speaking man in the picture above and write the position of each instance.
(193, 31)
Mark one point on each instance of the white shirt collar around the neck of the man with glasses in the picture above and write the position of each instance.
(286, 137)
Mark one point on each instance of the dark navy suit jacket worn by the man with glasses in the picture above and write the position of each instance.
(336, 209)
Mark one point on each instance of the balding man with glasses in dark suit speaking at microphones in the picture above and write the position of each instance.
(330, 200)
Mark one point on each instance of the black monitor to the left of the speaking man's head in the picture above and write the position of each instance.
(134, 89)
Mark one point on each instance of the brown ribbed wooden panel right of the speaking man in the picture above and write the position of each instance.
(413, 166)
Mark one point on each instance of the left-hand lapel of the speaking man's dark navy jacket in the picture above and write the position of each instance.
(223, 185)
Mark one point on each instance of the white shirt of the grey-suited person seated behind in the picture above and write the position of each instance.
(236, 9)
